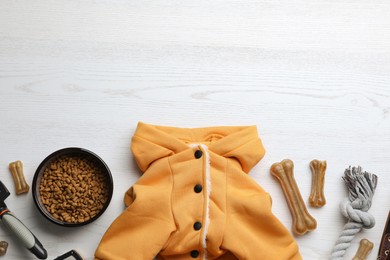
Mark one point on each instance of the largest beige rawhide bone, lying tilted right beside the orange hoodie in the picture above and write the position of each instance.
(302, 220)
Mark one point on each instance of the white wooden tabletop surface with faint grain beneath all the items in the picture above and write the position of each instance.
(312, 75)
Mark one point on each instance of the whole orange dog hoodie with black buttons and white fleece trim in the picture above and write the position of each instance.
(195, 199)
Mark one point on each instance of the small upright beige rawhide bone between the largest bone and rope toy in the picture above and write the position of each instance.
(317, 197)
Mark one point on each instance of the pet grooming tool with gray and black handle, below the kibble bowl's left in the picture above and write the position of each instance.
(24, 235)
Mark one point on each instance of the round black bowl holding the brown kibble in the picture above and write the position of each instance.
(92, 159)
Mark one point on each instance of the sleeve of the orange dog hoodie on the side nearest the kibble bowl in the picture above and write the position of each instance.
(143, 229)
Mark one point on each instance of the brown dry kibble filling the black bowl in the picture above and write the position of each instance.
(73, 189)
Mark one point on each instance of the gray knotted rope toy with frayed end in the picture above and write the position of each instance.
(361, 187)
